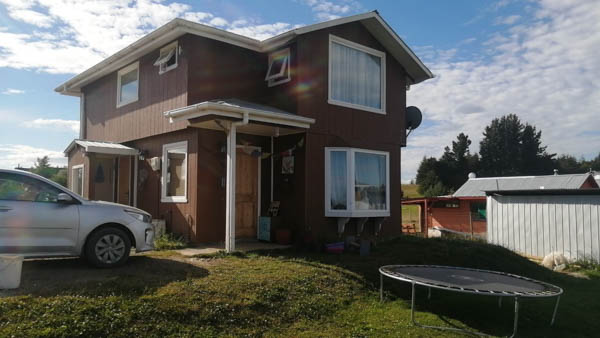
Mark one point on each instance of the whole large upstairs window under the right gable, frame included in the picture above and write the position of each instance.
(356, 76)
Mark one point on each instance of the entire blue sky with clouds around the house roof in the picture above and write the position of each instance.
(533, 58)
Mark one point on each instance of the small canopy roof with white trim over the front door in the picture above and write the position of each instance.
(261, 120)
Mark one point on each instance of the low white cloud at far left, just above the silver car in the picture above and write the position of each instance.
(13, 155)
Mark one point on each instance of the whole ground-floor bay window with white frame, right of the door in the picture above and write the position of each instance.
(356, 183)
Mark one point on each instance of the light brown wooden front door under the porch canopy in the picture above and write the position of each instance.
(246, 195)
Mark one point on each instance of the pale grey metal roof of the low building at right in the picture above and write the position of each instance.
(478, 186)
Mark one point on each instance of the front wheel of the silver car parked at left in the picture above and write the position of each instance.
(108, 247)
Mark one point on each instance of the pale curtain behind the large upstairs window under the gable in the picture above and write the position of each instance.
(355, 76)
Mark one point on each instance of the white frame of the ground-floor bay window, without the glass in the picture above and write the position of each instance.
(350, 184)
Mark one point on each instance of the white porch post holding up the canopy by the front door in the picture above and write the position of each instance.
(230, 192)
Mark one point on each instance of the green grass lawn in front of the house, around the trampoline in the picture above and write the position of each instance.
(284, 293)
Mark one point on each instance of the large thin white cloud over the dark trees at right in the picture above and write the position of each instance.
(545, 70)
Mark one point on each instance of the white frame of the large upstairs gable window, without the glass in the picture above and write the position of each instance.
(365, 49)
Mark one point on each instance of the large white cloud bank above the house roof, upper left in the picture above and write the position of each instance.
(71, 35)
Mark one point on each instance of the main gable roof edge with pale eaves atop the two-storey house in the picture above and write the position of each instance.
(372, 21)
